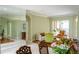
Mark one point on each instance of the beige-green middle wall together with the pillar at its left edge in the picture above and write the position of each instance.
(37, 24)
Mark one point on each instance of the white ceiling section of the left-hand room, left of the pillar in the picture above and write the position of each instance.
(6, 10)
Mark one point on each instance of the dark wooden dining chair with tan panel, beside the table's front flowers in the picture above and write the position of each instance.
(43, 48)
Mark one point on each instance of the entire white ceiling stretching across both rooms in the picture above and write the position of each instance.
(48, 10)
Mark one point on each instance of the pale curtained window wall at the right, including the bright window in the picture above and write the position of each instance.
(68, 24)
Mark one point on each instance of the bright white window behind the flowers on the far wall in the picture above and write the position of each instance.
(61, 25)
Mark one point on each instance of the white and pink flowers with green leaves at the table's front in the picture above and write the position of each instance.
(60, 49)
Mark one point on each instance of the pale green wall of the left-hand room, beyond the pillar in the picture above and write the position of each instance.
(16, 27)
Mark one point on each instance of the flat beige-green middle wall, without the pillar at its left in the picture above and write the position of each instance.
(39, 24)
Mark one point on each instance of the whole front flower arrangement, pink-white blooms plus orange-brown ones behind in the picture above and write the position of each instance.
(63, 46)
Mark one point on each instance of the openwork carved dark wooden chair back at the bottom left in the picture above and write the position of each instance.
(24, 50)
